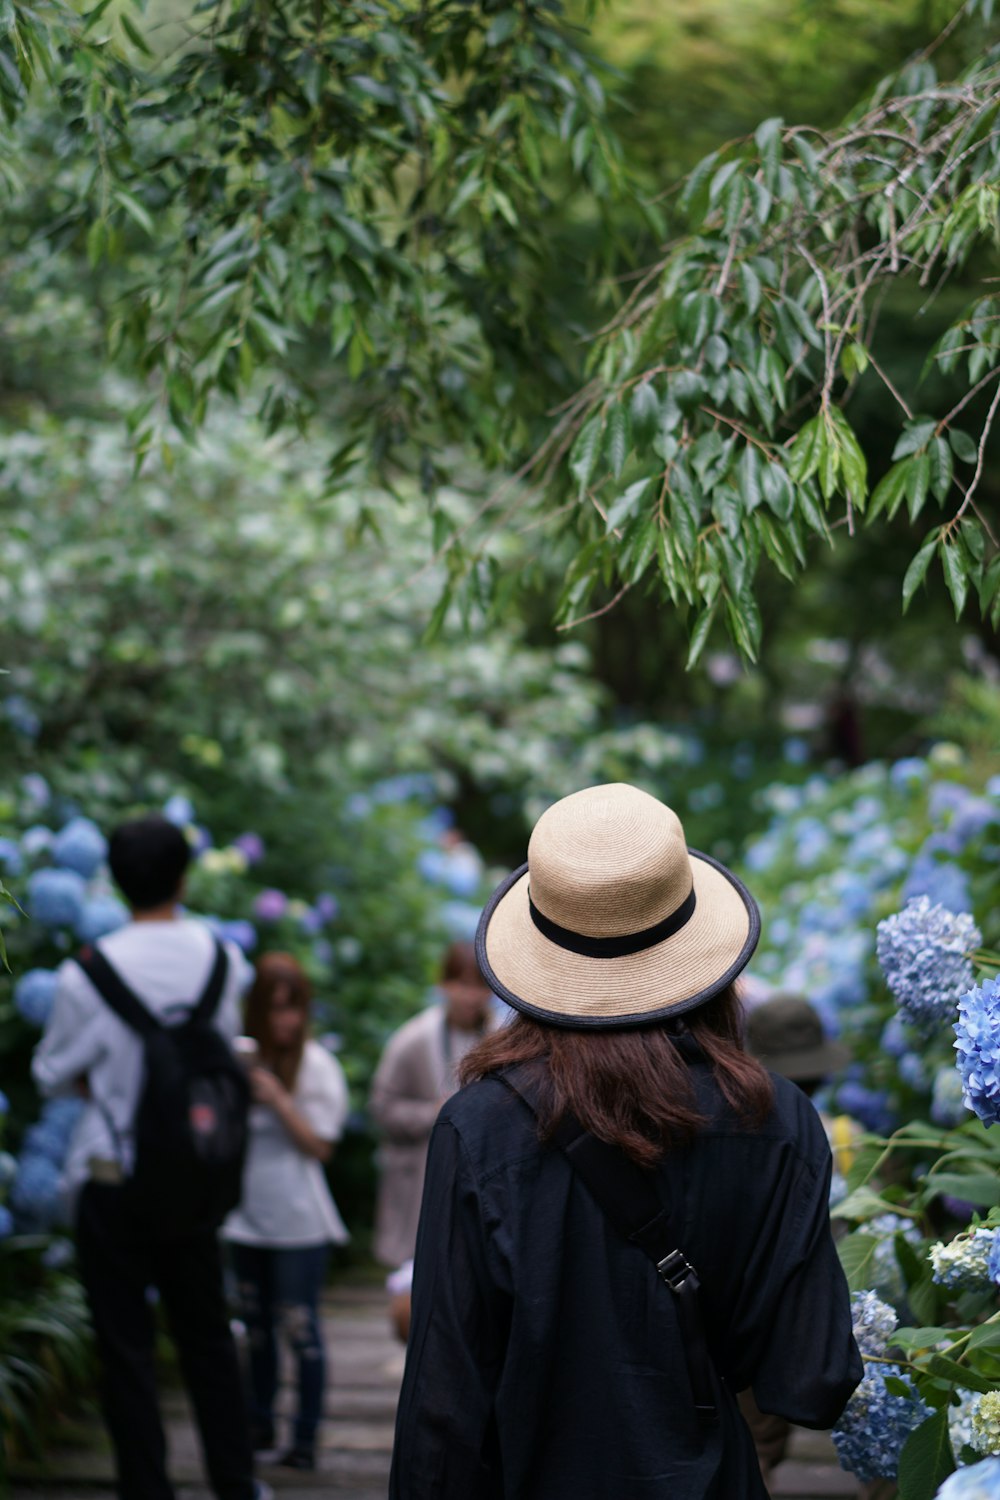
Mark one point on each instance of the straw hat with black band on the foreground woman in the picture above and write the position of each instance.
(614, 922)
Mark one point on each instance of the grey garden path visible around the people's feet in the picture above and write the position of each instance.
(358, 1433)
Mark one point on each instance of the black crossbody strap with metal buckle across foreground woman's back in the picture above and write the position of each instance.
(629, 1196)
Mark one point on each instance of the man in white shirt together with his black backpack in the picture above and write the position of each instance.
(142, 1027)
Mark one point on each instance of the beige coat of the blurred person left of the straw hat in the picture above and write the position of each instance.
(415, 1075)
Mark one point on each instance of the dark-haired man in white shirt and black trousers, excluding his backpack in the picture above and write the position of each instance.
(166, 959)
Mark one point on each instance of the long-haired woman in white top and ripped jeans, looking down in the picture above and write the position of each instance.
(283, 1231)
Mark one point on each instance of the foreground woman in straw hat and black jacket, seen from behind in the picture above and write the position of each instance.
(626, 1217)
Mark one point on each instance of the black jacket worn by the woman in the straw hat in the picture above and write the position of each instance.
(545, 1358)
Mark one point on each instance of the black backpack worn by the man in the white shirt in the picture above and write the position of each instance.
(191, 1124)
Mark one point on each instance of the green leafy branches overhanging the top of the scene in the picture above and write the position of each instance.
(365, 212)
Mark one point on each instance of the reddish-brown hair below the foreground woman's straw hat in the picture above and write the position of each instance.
(632, 1088)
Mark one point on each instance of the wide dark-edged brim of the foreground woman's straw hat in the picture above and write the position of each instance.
(551, 983)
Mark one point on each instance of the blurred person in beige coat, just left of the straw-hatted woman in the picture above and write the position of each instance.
(416, 1075)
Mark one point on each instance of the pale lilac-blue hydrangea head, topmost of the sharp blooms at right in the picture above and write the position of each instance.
(923, 952)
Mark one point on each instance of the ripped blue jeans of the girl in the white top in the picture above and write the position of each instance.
(278, 1292)
